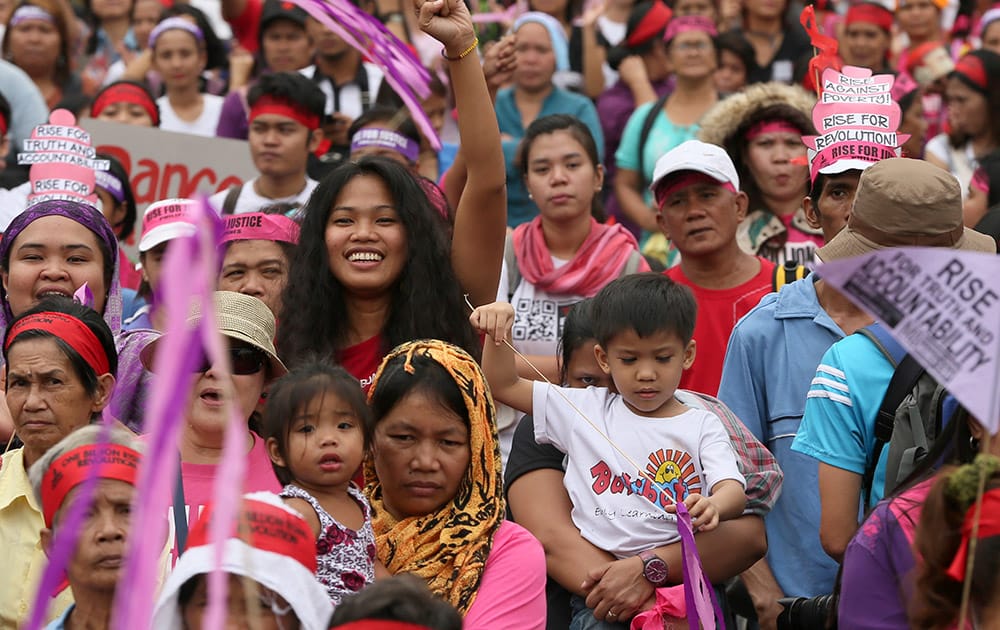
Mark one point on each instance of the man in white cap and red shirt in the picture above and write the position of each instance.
(699, 205)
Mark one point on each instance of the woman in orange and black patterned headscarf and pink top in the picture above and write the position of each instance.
(435, 483)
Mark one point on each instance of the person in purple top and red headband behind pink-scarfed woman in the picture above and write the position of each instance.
(643, 77)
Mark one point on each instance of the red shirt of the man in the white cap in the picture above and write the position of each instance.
(718, 312)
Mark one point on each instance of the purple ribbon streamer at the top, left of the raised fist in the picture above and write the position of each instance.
(402, 69)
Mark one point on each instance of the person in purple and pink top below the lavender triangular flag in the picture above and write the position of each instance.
(879, 564)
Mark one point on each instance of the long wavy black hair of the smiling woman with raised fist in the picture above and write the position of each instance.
(427, 300)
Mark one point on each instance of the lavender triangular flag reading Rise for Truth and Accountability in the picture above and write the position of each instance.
(943, 306)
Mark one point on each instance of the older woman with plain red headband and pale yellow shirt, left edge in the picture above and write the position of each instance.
(61, 362)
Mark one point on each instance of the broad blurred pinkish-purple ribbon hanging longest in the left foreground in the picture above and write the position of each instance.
(189, 275)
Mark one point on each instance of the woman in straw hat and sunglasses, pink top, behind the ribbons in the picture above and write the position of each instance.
(248, 327)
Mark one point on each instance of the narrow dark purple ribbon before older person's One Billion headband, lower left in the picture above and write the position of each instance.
(66, 536)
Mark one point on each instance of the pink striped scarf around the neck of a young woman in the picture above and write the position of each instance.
(600, 259)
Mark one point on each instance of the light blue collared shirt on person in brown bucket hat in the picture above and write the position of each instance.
(770, 362)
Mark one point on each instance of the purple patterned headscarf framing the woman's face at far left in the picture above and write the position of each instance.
(90, 218)
